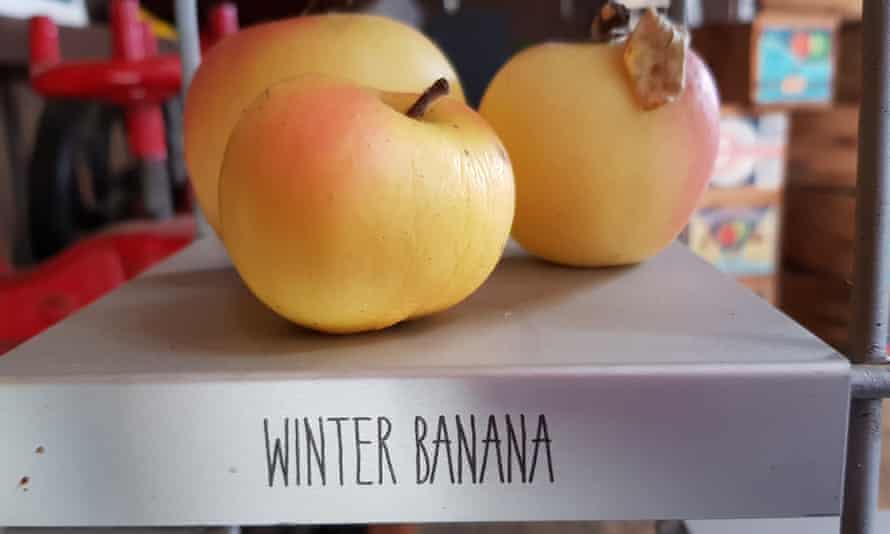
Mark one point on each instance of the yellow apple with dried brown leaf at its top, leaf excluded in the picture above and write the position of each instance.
(599, 180)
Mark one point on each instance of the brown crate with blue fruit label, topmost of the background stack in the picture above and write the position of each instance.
(782, 60)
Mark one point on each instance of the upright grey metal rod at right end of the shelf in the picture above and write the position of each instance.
(870, 292)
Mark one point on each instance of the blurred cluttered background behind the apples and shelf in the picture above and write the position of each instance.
(77, 220)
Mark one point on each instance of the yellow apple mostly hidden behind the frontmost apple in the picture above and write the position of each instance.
(371, 50)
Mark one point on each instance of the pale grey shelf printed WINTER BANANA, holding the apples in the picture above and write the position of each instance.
(668, 391)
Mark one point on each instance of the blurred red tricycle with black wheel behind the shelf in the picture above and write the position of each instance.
(91, 226)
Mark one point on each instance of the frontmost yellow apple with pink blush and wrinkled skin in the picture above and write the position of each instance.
(343, 214)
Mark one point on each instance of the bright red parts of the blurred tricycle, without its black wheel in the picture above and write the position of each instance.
(139, 79)
